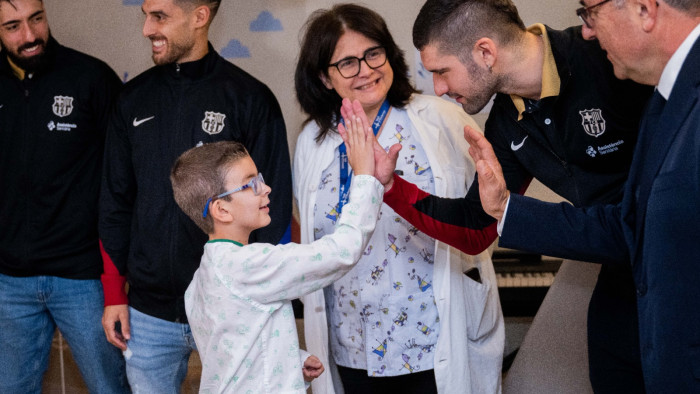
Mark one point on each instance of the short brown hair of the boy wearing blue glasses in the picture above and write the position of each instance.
(200, 173)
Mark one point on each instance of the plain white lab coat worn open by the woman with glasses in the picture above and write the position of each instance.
(469, 352)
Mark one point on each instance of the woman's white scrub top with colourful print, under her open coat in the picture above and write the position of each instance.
(383, 315)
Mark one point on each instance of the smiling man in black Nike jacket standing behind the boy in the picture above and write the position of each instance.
(191, 97)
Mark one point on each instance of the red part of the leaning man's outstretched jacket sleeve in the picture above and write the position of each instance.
(404, 195)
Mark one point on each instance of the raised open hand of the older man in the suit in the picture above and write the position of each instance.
(492, 186)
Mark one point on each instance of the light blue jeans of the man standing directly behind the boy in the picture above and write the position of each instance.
(157, 354)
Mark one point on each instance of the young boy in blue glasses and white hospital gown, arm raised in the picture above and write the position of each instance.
(238, 303)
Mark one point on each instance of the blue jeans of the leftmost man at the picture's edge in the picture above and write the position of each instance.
(30, 310)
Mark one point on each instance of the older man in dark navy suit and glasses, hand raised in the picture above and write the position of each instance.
(654, 227)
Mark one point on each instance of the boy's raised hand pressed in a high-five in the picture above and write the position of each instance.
(359, 141)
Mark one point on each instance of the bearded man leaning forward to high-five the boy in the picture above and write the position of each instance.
(560, 116)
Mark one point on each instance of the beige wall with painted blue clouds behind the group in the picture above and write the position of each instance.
(111, 31)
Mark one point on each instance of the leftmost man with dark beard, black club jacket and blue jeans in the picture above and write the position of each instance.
(52, 128)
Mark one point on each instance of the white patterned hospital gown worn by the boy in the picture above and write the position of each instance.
(238, 303)
